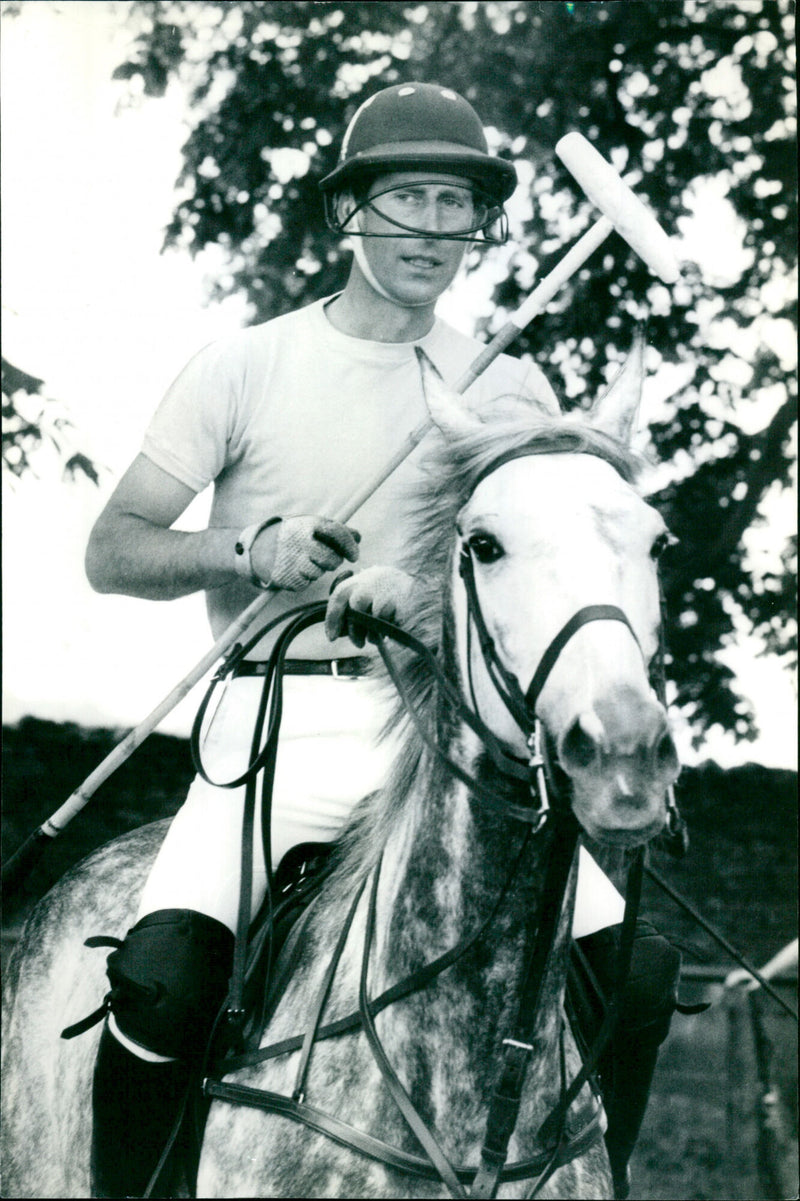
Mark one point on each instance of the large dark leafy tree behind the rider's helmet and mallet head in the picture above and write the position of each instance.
(683, 95)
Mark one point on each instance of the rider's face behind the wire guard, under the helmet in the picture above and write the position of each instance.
(416, 268)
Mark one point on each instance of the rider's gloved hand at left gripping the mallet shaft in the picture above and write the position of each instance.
(297, 552)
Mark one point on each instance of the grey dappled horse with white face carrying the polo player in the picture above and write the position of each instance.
(530, 519)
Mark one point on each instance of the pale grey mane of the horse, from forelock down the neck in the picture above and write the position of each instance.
(451, 471)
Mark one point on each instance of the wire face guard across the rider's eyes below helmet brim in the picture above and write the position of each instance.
(467, 213)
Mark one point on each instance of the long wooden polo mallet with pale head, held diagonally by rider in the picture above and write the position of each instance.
(622, 212)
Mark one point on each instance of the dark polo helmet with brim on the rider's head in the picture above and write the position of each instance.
(419, 127)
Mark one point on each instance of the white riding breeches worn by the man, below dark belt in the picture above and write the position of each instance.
(330, 757)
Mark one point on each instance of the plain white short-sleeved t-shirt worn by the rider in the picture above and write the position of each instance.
(294, 417)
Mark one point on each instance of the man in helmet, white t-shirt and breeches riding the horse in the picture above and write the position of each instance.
(283, 420)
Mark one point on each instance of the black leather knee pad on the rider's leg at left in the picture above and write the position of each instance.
(169, 981)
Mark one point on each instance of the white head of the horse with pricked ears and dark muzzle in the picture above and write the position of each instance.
(551, 531)
